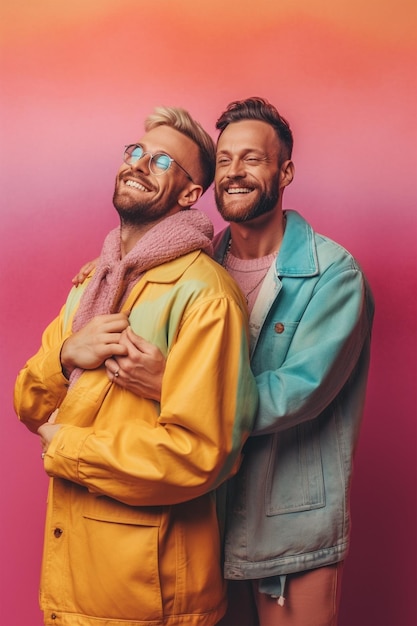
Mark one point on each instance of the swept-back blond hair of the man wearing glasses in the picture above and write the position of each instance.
(181, 120)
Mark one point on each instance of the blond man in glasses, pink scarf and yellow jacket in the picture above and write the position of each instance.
(132, 533)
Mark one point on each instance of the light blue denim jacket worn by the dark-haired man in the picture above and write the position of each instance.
(310, 333)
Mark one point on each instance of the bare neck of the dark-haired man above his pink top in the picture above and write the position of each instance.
(252, 241)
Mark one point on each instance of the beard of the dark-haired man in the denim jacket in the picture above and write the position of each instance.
(265, 203)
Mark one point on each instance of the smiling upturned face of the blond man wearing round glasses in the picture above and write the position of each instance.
(140, 197)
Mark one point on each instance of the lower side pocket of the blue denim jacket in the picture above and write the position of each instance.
(295, 479)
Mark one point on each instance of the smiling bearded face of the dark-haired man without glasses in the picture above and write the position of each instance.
(248, 178)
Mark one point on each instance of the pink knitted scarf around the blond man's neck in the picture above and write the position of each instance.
(114, 277)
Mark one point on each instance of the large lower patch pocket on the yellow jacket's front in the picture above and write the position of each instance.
(117, 571)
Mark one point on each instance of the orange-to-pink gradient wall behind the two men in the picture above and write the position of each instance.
(78, 79)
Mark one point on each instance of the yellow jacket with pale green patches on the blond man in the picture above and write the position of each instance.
(132, 536)
